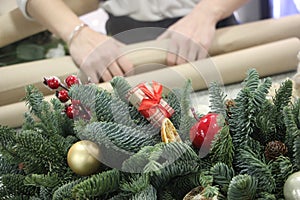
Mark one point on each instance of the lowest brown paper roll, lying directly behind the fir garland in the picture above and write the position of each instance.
(269, 59)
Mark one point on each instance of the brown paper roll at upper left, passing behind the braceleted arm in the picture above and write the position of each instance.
(17, 27)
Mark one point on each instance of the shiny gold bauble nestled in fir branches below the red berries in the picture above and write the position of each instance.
(83, 158)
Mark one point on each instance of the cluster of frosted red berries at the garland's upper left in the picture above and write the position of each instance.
(74, 109)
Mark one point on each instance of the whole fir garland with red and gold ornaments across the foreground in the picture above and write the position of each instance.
(90, 143)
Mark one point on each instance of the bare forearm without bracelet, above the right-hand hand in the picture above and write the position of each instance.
(217, 10)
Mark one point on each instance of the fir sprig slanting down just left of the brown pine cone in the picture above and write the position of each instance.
(250, 163)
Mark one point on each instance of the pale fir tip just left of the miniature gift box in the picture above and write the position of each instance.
(121, 87)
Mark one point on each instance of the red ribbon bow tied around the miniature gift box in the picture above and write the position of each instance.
(150, 104)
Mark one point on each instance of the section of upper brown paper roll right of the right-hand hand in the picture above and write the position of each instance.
(246, 35)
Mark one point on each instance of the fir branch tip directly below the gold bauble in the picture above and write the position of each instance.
(97, 185)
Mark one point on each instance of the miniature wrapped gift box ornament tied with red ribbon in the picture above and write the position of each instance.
(147, 98)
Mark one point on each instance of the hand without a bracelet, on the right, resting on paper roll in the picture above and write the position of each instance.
(190, 38)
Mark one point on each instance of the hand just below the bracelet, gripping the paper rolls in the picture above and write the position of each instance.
(99, 56)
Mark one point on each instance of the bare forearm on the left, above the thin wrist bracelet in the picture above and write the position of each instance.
(57, 15)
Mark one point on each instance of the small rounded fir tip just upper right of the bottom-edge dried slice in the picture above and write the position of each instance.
(222, 175)
